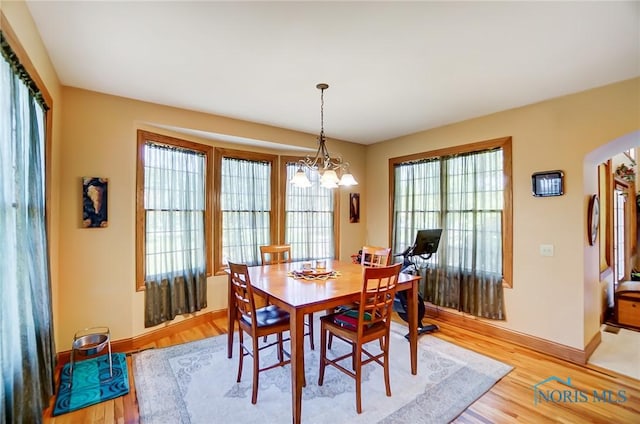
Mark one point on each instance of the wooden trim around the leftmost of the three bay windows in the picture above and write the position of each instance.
(142, 138)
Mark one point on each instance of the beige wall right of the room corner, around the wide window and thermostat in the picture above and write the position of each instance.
(555, 298)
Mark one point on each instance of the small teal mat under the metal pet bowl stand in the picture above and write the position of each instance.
(92, 383)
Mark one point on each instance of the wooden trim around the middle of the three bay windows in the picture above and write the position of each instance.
(219, 154)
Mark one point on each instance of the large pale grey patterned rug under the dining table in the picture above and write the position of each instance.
(196, 383)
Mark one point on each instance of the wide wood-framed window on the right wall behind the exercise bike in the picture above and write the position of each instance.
(466, 192)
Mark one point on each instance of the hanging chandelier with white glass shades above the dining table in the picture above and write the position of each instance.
(322, 162)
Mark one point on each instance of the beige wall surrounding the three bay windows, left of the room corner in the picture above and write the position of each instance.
(97, 266)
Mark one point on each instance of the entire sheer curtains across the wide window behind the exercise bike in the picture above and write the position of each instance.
(463, 196)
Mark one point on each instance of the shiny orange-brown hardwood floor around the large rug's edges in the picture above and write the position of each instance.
(511, 400)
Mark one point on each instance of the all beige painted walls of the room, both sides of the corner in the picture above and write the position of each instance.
(554, 298)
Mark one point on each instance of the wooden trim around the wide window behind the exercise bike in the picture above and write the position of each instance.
(507, 217)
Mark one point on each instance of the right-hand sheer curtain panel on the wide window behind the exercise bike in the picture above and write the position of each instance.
(469, 272)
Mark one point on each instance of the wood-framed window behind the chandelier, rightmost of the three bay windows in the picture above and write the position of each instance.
(310, 216)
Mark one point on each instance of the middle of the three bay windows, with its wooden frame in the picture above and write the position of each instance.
(246, 197)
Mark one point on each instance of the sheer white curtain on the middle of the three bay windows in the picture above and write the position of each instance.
(245, 202)
